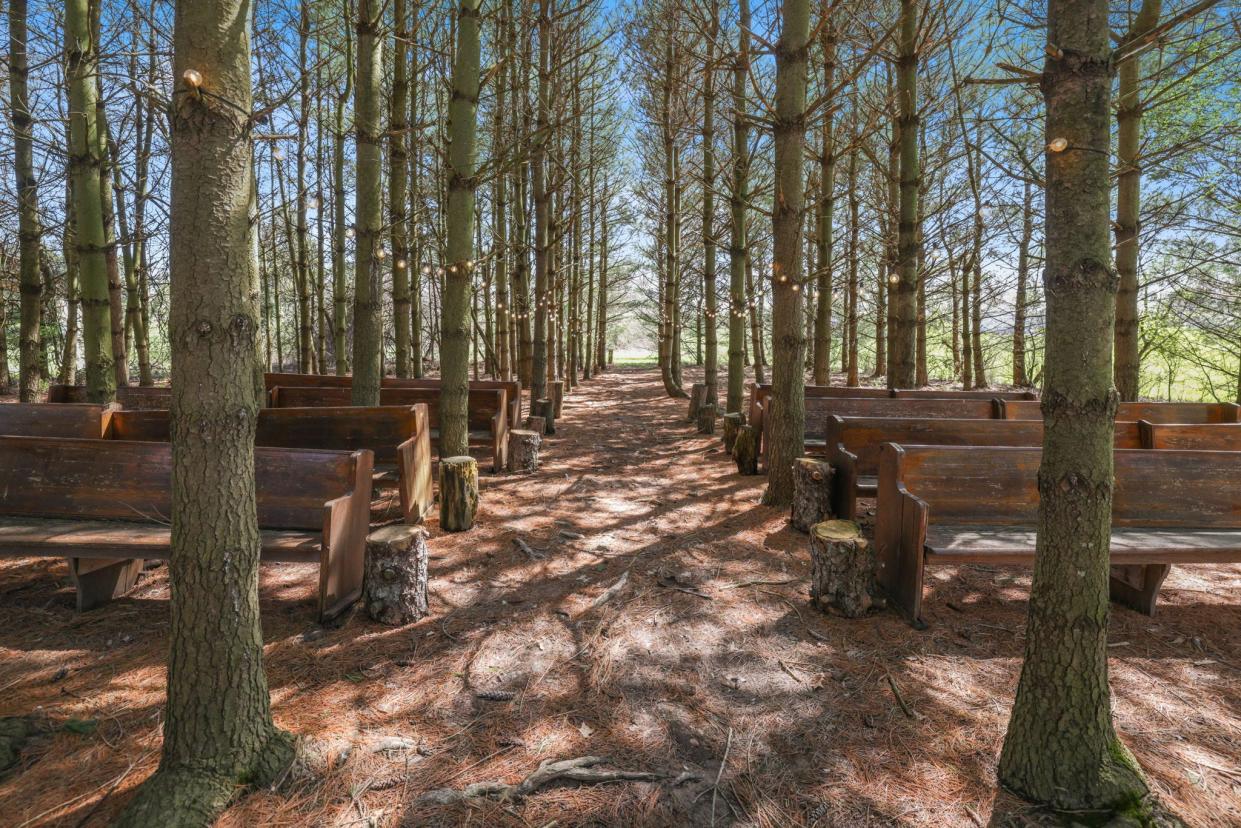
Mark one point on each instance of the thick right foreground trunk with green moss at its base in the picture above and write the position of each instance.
(1062, 749)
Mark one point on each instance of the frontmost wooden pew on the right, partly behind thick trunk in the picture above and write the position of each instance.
(950, 506)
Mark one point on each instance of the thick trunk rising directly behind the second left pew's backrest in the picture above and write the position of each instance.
(369, 210)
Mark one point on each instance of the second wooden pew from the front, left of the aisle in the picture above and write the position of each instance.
(398, 436)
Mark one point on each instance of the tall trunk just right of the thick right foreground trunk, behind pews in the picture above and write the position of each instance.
(1129, 203)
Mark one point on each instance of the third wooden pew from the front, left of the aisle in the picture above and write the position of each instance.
(488, 412)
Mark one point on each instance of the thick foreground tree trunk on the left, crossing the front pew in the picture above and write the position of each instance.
(218, 728)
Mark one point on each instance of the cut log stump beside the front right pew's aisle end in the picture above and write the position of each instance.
(843, 569)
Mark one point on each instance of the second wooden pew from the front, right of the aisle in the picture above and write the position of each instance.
(853, 446)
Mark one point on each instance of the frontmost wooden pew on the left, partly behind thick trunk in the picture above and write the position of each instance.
(105, 506)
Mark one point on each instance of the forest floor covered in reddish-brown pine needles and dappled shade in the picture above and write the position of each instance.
(707, 667)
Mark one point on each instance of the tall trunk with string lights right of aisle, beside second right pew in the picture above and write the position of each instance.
(787, 424)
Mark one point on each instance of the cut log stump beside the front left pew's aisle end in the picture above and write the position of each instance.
(395, 585)
